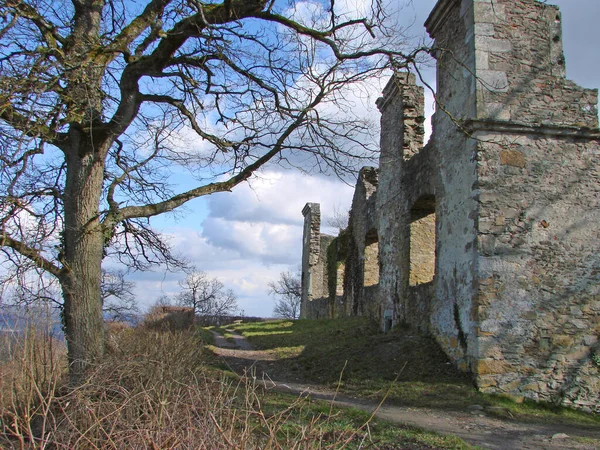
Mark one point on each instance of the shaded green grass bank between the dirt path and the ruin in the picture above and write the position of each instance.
(411, 369)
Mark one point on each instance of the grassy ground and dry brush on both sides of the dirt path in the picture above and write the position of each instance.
(162, 389)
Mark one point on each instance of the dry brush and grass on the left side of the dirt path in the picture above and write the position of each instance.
(158, 389)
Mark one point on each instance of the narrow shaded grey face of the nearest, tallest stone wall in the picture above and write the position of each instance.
(452, 321)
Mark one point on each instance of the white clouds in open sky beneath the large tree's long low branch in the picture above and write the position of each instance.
(250, 236)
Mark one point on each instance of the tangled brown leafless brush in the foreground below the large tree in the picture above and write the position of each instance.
(152, 391)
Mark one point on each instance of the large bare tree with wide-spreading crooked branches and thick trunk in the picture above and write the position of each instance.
(96, 97)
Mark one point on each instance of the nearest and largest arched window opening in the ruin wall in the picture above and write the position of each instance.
(422, 241)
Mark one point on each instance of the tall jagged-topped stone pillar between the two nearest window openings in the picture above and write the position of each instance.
(402, 117)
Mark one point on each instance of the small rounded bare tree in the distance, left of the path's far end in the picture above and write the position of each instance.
(208, 296)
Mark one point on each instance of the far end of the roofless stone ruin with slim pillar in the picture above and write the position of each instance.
(340, 276)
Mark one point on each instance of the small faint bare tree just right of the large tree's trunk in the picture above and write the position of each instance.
(118, 300)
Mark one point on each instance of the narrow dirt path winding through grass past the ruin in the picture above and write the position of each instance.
(472, 425)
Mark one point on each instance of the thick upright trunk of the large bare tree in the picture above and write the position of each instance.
(83, 243)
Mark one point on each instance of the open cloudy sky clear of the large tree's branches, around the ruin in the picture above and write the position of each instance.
(246, 238)
